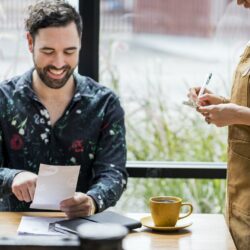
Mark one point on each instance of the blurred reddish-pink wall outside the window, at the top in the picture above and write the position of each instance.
(177, 17)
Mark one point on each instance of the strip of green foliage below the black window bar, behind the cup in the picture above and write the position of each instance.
(207, 196)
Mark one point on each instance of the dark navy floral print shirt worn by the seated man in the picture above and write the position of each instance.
(90, 133)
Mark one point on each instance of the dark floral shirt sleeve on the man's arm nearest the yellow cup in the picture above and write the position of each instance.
(109, 168)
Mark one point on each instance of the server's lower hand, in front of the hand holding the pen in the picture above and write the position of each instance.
(221, 115)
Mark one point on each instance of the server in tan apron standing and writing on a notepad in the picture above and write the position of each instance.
(235, 114)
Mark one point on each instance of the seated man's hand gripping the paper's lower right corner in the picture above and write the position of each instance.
(79, 205)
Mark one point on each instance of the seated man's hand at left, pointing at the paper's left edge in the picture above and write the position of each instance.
(23, 186)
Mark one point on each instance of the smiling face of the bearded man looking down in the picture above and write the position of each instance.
(55, 54)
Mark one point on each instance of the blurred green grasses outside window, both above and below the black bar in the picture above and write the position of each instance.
(177, 137)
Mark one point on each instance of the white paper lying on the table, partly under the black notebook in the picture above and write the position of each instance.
(37, 226)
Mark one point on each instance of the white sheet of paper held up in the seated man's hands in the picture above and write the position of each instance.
(54, 184)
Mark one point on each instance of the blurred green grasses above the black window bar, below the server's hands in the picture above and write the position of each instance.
(159, 136)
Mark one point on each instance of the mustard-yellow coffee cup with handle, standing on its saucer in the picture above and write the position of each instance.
(165, 210)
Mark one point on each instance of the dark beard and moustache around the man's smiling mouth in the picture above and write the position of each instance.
(54, 83)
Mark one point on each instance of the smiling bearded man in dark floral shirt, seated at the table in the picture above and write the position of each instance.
(54, 116)
